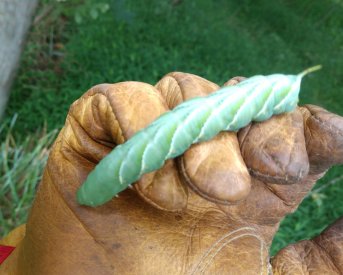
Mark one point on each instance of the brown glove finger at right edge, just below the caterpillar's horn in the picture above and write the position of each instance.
(324, 138)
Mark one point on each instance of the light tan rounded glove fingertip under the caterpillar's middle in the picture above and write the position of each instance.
(215, 169)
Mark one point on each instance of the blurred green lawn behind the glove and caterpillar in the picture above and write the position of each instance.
(74, 45)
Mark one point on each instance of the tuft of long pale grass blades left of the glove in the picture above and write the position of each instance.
(21, 167)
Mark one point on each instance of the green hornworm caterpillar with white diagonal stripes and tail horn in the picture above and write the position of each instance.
(199, 119)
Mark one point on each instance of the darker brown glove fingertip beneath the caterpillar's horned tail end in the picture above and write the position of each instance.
(274, 150)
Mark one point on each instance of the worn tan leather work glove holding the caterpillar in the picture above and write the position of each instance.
(214, 210)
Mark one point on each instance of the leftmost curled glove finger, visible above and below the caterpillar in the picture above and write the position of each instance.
(133, 105)
